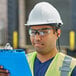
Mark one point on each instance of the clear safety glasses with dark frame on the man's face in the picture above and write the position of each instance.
(41, 32)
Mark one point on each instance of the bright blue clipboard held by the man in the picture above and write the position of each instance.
(15, 62)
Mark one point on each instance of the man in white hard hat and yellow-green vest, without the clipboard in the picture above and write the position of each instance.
(44, 29)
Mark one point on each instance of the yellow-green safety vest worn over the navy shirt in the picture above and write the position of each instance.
(62, 65)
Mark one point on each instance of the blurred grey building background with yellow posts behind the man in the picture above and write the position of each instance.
(14, 14)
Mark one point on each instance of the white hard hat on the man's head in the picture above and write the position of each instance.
(43, 13)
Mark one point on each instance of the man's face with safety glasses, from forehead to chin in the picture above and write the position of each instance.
(43, 38)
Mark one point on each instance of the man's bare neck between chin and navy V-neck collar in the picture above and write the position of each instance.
(45, 57)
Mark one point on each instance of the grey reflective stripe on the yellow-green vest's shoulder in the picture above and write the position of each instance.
(65, 69)
